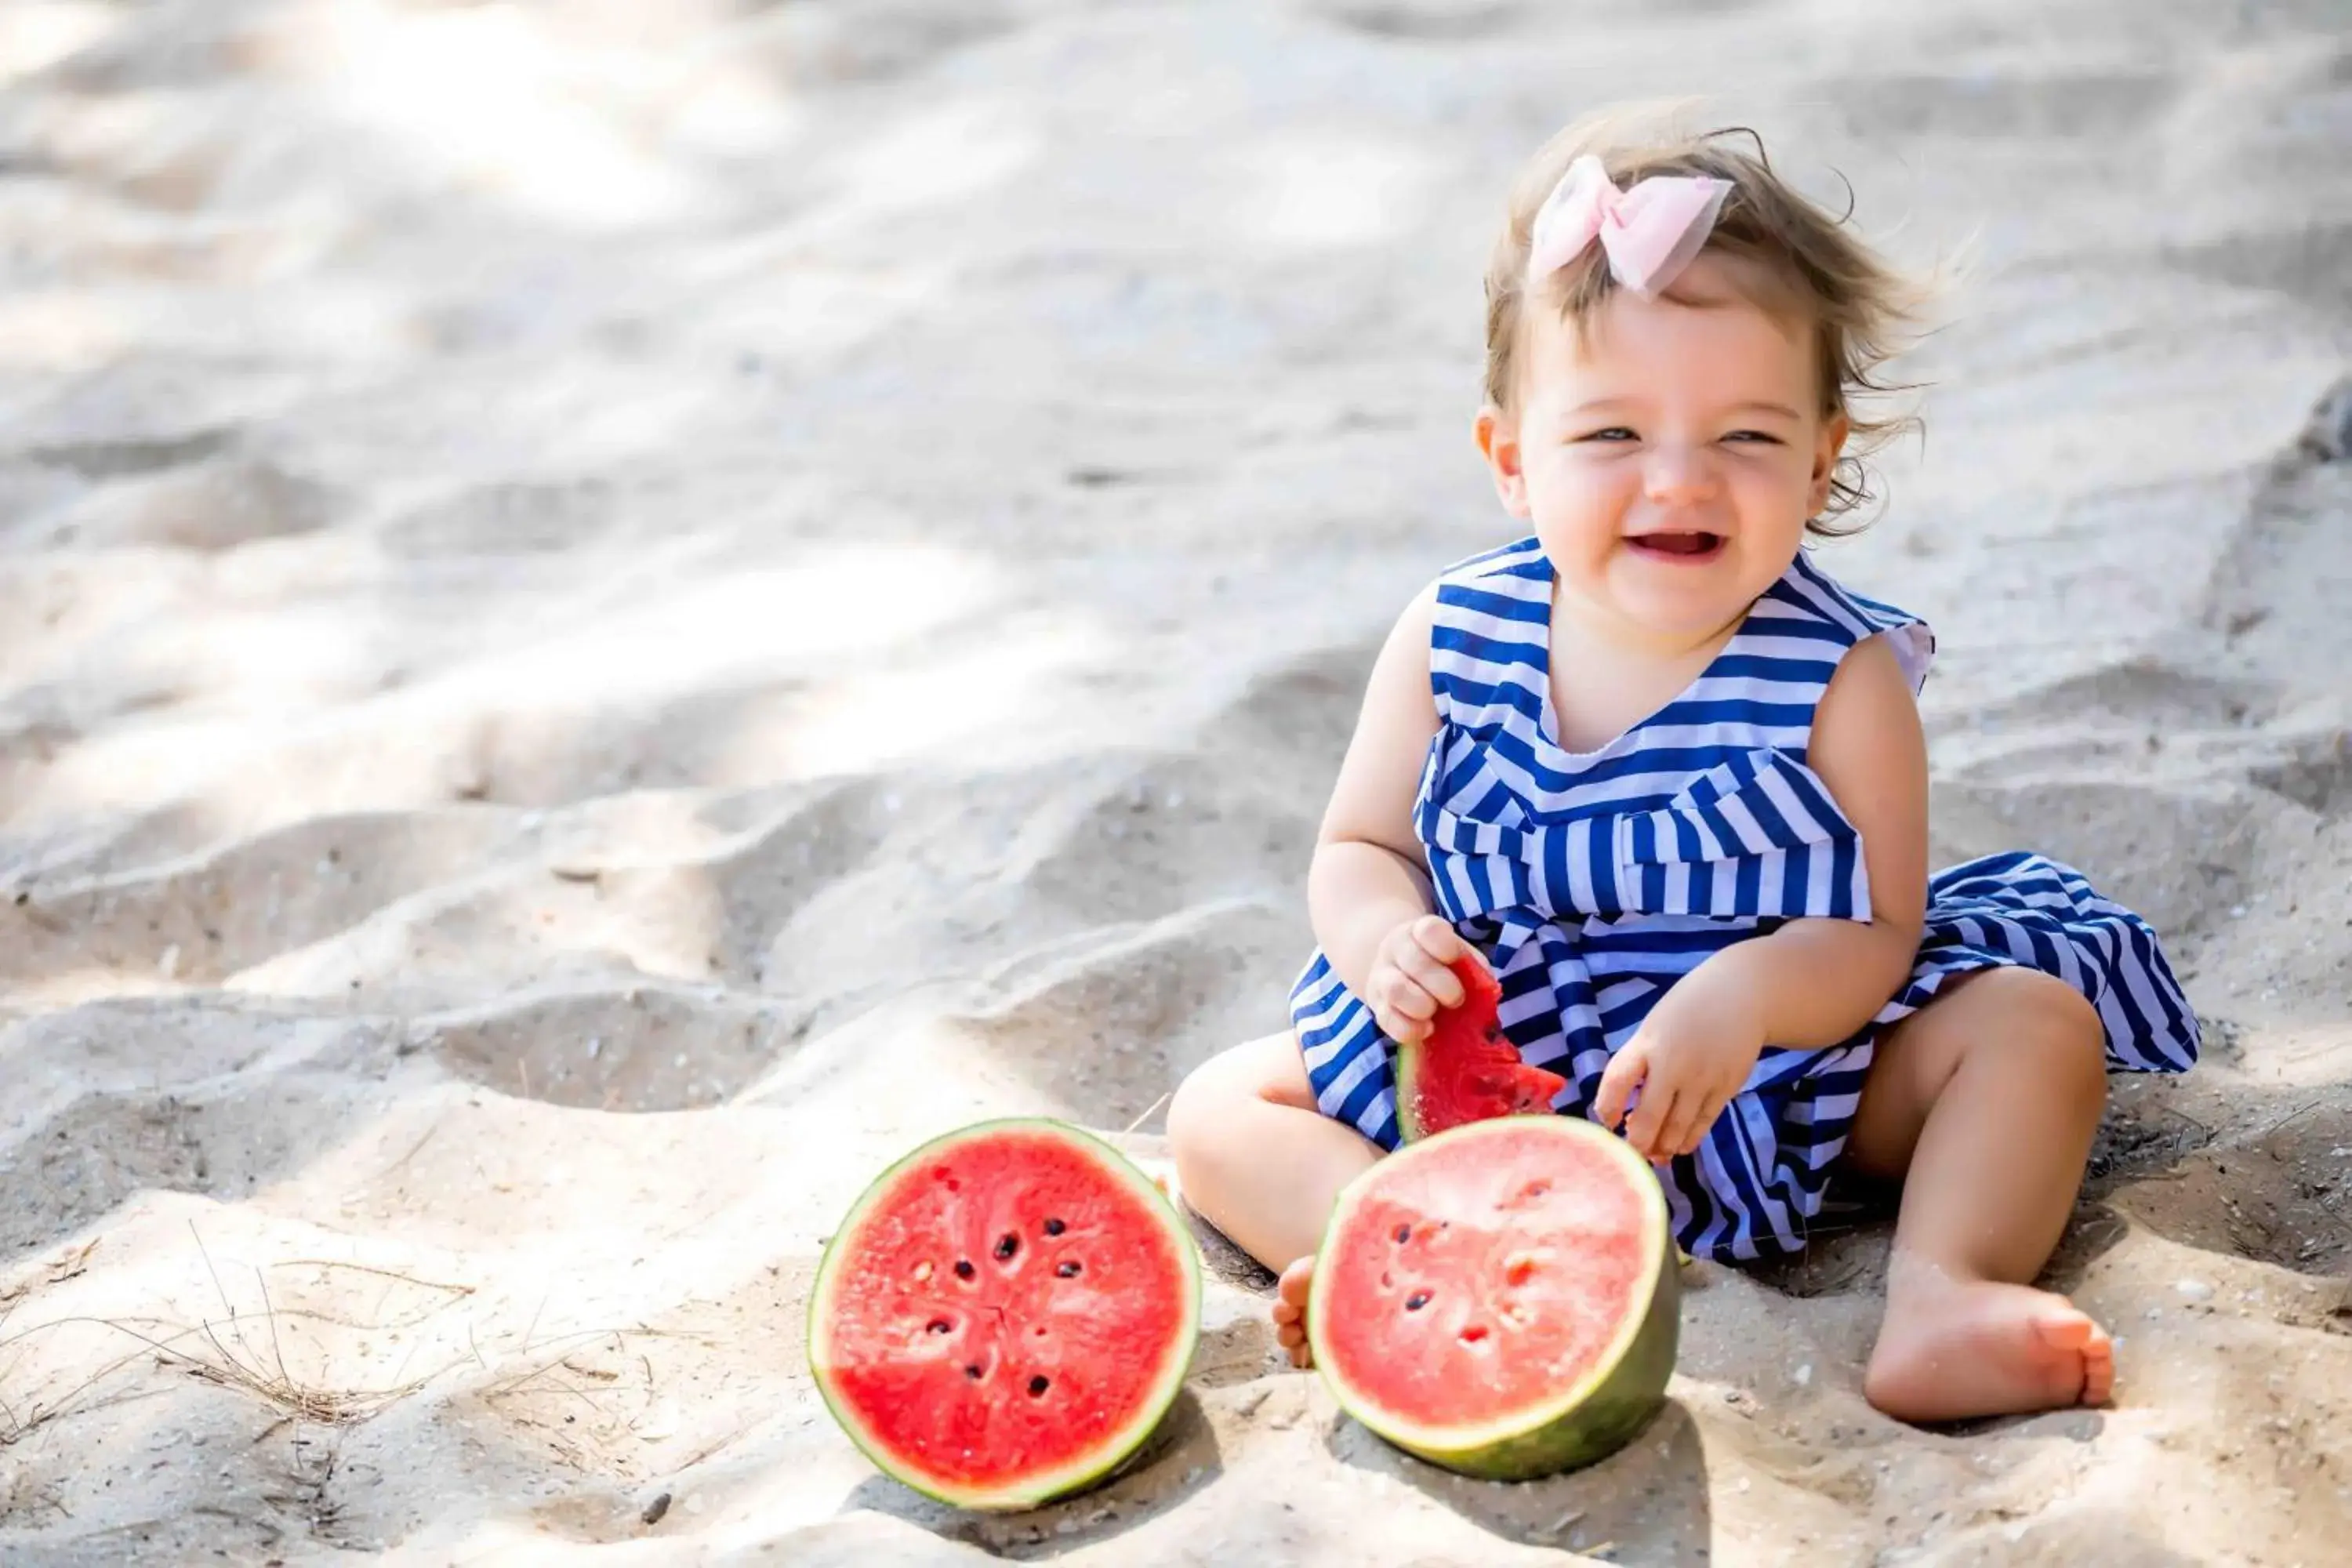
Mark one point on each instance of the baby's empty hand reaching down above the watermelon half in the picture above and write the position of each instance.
(1688, 1059)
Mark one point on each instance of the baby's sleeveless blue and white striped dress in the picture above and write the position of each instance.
(1593, 880)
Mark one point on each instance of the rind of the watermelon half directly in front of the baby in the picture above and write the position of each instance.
(1589, 1421)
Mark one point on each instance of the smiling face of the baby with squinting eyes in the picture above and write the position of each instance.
(1671, 460)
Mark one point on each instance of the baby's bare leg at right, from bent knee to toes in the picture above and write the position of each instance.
(1984, 1106)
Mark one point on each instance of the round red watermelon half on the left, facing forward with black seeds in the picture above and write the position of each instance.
(1005, 1315)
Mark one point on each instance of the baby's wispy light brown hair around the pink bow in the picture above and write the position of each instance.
(1800, 264)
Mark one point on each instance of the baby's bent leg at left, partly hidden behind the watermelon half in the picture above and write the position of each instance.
(1262, 1165)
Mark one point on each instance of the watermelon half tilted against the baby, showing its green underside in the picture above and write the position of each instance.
(1499, 1299)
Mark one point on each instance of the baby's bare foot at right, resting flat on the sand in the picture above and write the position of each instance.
(1958, 1348)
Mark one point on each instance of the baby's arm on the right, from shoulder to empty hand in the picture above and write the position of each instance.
(1812, 981)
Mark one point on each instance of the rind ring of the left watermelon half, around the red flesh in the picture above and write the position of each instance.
(1118, 1449)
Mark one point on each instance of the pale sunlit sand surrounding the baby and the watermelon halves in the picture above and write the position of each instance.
(613, 612)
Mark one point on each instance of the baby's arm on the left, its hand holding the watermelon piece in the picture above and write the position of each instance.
(1368, 890)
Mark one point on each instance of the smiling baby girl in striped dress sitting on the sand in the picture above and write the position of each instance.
(1664, 777)
